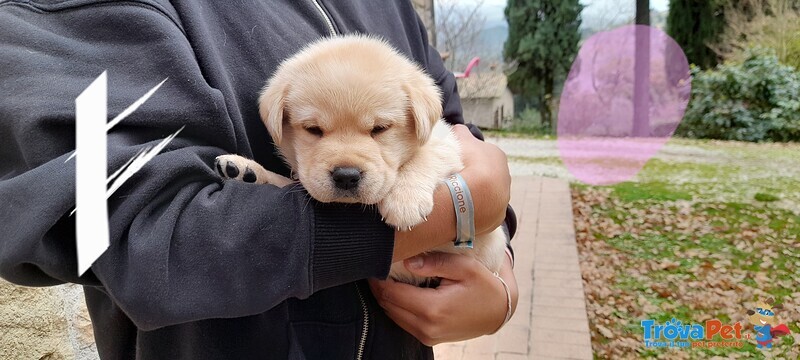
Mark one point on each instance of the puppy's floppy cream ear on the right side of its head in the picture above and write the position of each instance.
(425, 104)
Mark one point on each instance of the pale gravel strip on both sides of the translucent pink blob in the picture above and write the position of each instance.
(723, 171)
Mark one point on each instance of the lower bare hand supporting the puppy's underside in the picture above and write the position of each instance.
(468, 303)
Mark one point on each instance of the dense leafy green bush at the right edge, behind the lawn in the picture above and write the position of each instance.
(756, 100)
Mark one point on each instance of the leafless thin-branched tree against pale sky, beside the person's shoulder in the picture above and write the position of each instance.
(458, 28)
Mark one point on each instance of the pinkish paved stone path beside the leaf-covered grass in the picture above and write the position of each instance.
(550, 321)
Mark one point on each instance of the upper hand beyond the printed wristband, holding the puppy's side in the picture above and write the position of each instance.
(488, 177)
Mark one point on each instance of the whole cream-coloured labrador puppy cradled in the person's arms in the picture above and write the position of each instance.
(360, 123)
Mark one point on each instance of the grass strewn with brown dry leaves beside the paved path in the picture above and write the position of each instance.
(688, 260)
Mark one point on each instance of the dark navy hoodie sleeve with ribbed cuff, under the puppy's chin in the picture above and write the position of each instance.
(185, 245)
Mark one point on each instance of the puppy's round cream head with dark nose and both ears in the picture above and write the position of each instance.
(346, 114)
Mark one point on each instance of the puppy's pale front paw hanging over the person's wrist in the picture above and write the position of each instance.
(405, 208)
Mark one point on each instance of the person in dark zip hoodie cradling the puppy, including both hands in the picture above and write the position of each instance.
(204, 269)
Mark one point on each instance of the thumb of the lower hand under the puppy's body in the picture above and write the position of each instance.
(443, 265)
